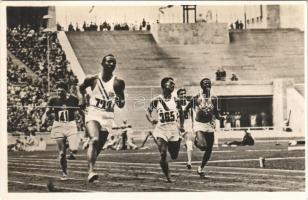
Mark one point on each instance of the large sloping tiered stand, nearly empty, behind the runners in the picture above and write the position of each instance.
(251, 55)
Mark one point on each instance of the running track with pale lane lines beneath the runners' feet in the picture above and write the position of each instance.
(130, 171)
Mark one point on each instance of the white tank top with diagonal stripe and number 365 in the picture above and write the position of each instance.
(167, 114)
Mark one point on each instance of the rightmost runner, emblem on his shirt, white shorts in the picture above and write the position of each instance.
(206, 110)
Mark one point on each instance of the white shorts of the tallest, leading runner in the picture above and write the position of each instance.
(105, 119)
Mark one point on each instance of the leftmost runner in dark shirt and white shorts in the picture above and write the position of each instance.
(64, 126)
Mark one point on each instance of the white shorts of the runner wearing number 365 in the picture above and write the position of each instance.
(168, 132)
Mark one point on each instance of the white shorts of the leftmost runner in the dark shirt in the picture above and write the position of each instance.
(67, 130)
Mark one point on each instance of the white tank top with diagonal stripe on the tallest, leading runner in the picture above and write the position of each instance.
(102, 96)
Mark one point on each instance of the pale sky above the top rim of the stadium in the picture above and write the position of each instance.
(133, 14)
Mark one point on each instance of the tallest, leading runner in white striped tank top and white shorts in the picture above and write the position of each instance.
(106, 92)
